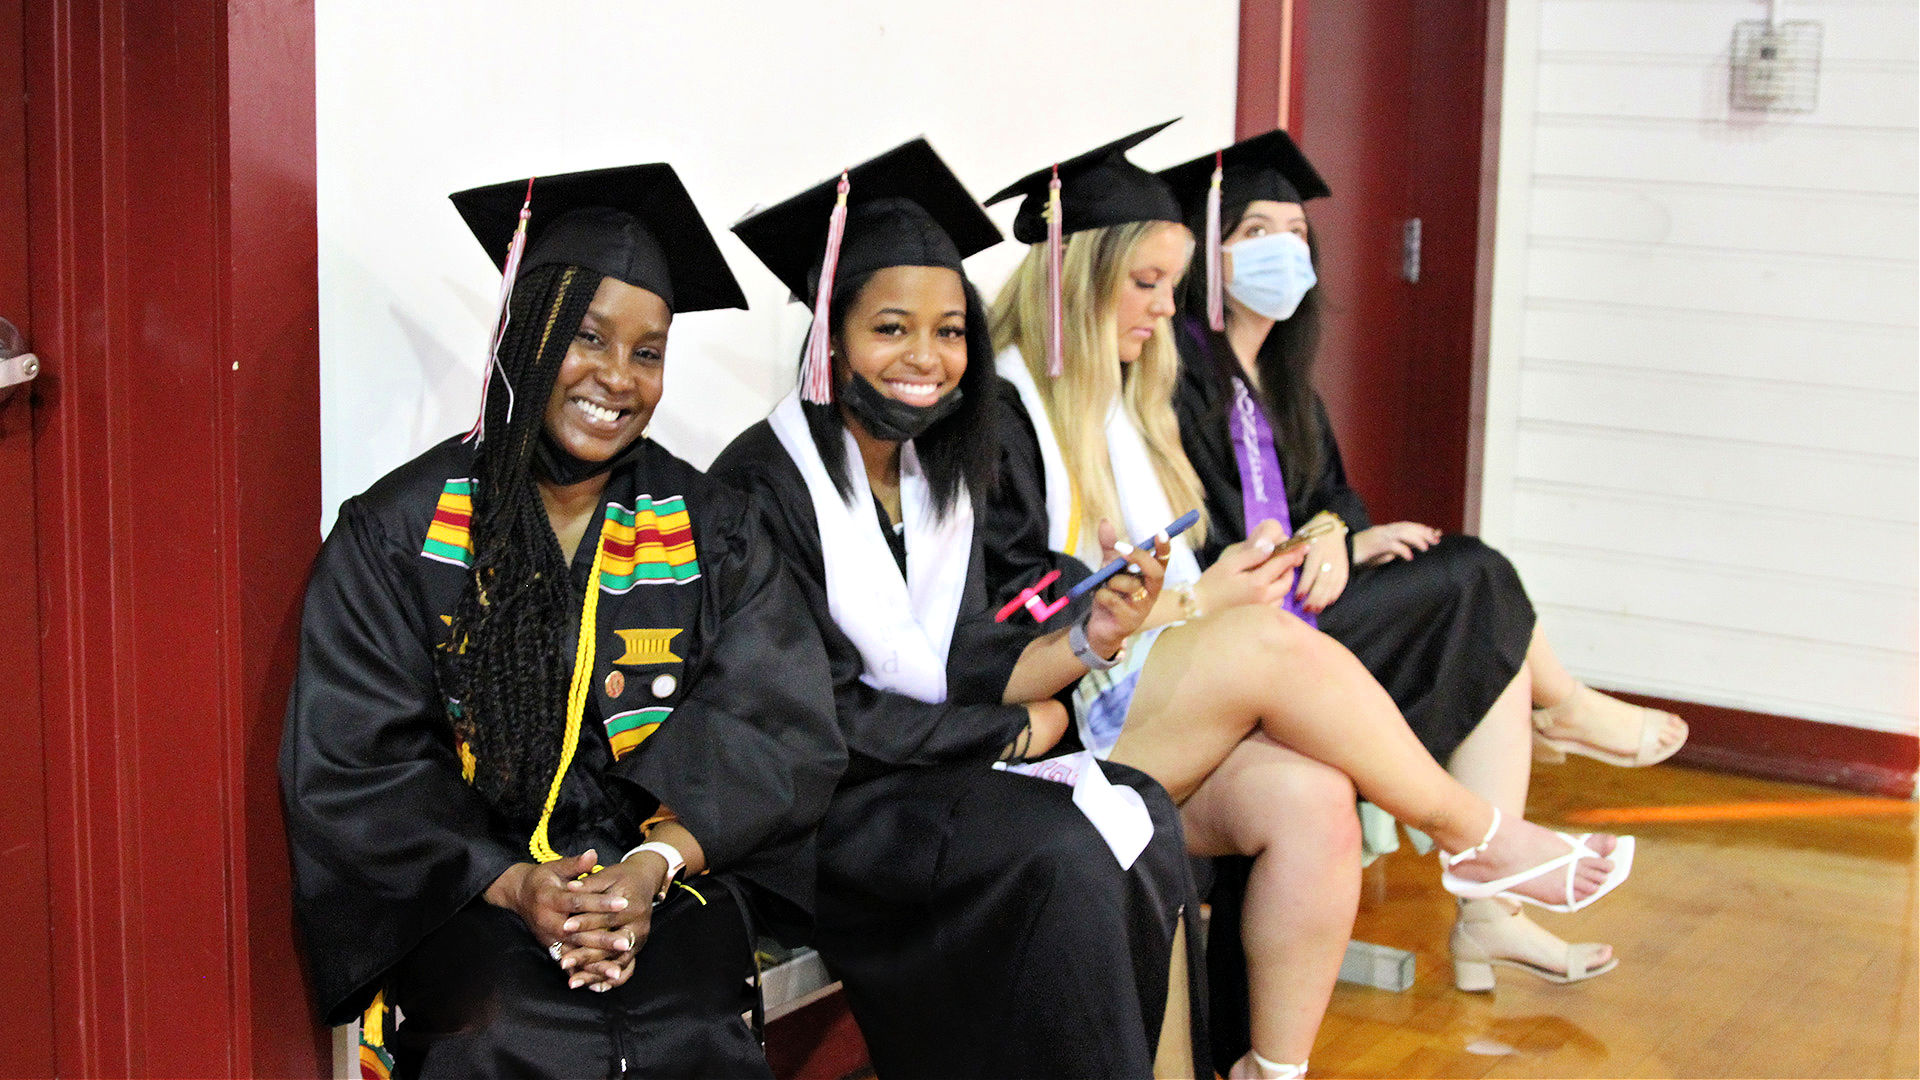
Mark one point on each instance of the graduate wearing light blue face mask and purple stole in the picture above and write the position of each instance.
(1441, 622)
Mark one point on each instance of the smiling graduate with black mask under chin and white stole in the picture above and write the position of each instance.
(978, 918)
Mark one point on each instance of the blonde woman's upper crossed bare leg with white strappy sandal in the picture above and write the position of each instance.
(1211, 683)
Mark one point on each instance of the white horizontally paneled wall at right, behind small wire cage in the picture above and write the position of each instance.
(1704, 381)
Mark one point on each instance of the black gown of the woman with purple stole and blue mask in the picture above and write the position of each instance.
(1443, 633)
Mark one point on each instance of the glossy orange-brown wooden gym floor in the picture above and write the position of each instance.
(1767, 933)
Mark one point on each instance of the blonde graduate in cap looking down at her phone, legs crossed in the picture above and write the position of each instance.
(1259, 725)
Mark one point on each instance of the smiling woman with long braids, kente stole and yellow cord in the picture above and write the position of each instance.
(525, 647)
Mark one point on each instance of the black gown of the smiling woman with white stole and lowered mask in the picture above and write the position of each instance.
(976, 920)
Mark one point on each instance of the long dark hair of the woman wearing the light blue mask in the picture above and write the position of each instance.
(1285, 358)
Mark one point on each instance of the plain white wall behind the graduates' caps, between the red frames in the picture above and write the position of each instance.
(750, 101)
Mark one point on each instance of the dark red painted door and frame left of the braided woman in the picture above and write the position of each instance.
(174, 291)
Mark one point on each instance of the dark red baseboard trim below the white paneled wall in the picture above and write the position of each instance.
(1787, 749)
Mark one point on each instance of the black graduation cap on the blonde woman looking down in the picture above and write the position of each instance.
(1099, 187)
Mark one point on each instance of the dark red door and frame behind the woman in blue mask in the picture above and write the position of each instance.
(1397, 103)
